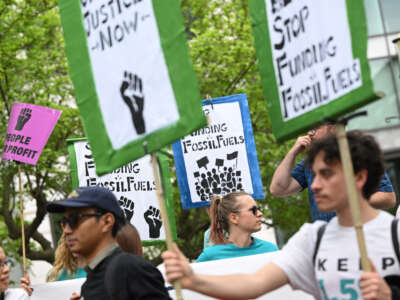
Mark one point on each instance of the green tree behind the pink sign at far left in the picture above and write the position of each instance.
(33, 70)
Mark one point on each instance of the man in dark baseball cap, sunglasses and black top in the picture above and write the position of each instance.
(92, 218)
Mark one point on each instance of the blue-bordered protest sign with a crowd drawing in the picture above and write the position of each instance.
(219, 158)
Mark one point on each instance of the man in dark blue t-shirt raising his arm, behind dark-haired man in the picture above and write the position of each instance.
(288, 180)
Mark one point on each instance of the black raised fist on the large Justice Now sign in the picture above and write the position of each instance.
(132, 93)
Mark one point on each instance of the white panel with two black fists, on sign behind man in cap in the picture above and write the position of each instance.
(132, 184)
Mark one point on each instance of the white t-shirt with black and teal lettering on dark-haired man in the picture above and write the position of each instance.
(336, 273)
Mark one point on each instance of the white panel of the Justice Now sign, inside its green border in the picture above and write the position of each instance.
(117, 31)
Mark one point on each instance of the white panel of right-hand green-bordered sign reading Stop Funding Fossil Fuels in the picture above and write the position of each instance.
(312, 53)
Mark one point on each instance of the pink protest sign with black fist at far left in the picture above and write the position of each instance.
(28, 131)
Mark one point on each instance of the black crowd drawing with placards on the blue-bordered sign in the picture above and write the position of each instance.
(220, 179)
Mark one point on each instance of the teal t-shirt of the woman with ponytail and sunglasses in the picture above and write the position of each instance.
(219, 251)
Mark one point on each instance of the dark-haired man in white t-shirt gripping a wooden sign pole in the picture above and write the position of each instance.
(330, 268)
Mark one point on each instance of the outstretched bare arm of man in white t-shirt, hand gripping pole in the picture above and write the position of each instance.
(238, 286)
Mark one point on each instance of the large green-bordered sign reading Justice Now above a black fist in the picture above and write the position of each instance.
(134, 82)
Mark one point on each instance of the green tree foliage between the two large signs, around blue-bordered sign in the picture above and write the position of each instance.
(223, 55)
